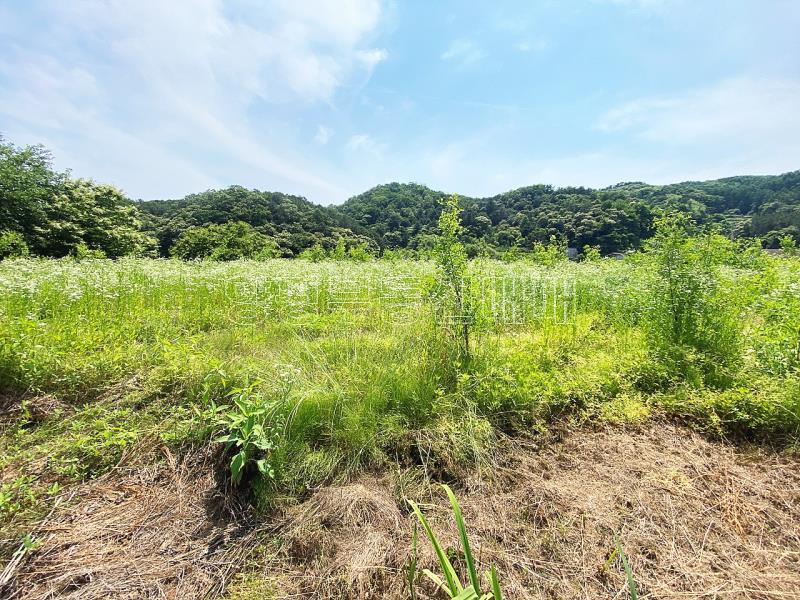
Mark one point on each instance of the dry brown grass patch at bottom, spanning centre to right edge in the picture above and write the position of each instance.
(696, 518)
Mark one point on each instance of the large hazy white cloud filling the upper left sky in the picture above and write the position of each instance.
(184, 73)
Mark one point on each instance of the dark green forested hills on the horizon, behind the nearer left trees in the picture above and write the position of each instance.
(404, 215)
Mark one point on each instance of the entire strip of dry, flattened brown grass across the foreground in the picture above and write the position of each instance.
(697, 519)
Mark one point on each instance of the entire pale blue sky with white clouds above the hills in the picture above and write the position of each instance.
(326, 99)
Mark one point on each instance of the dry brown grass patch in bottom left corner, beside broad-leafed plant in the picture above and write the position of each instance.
(142, 532)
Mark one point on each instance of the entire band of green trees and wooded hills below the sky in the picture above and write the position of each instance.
(44, 212)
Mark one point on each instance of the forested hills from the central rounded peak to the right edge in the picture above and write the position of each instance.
(615, 218)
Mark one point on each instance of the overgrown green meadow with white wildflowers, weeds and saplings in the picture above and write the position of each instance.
(304, 373)
